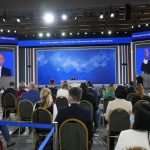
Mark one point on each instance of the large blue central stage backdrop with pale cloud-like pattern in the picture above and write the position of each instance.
(97, 65)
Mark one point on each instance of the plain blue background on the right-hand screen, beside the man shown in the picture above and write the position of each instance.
(139, 59)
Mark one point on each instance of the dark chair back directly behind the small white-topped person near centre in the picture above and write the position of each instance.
(61, 102)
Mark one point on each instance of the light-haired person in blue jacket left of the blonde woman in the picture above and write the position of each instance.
(33, 95)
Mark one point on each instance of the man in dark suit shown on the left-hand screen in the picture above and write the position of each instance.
(3, 70)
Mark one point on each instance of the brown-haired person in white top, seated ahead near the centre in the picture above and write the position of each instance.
(63, 91)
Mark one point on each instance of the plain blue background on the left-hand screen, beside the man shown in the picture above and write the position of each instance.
(9, 60)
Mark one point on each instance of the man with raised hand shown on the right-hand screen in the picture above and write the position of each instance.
(146, 63)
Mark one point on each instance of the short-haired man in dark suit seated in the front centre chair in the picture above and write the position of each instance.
(76, 111)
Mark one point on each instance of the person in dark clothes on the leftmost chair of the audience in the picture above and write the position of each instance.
(10, 90)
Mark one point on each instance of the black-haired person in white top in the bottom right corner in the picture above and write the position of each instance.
(139, 135)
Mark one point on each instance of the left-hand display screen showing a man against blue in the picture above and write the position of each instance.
(6, 63)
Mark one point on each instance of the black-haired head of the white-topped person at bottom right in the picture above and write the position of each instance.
(141, 111)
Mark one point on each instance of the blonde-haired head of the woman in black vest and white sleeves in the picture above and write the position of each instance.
(46, 98)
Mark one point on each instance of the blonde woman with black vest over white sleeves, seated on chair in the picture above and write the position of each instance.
(47, 102)
